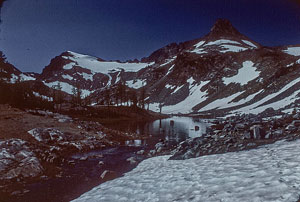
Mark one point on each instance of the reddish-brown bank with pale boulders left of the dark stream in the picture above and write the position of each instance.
(36, 145)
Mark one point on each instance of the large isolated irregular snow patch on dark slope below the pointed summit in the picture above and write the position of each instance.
(245, 74)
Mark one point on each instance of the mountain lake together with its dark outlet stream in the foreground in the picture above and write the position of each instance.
(85, 175)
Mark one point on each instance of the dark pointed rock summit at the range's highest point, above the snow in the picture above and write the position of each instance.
(224, 28)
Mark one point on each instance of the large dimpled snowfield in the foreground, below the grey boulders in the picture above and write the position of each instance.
(270, 173)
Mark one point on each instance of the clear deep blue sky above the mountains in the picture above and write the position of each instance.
(34, 31)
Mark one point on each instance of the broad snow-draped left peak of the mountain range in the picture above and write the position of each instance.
(72, 69)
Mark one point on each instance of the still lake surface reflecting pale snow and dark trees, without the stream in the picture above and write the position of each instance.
(174, 129)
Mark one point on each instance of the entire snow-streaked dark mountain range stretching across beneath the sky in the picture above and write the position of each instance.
(223, 72)
